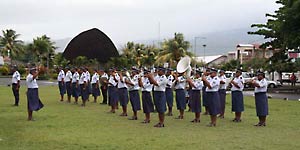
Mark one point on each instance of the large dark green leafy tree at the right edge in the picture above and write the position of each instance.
(283, 31)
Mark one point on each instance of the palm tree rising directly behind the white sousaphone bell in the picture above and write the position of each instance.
(173, 50)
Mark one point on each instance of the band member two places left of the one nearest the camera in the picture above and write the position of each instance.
(134, 95)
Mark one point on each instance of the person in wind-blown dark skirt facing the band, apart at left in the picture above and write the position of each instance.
(34, 102)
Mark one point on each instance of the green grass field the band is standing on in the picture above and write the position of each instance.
(60, 125)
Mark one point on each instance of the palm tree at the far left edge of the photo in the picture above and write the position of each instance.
(9, 43)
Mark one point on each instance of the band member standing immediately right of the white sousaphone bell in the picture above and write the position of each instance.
(195, 95)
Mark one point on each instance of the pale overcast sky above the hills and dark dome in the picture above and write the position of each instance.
(130, 20)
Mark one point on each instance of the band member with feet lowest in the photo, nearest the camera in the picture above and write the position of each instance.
(160, 82)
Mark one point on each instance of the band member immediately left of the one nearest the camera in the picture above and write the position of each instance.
(146, 86)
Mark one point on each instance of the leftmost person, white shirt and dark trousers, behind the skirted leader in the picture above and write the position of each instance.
(16, 77)
